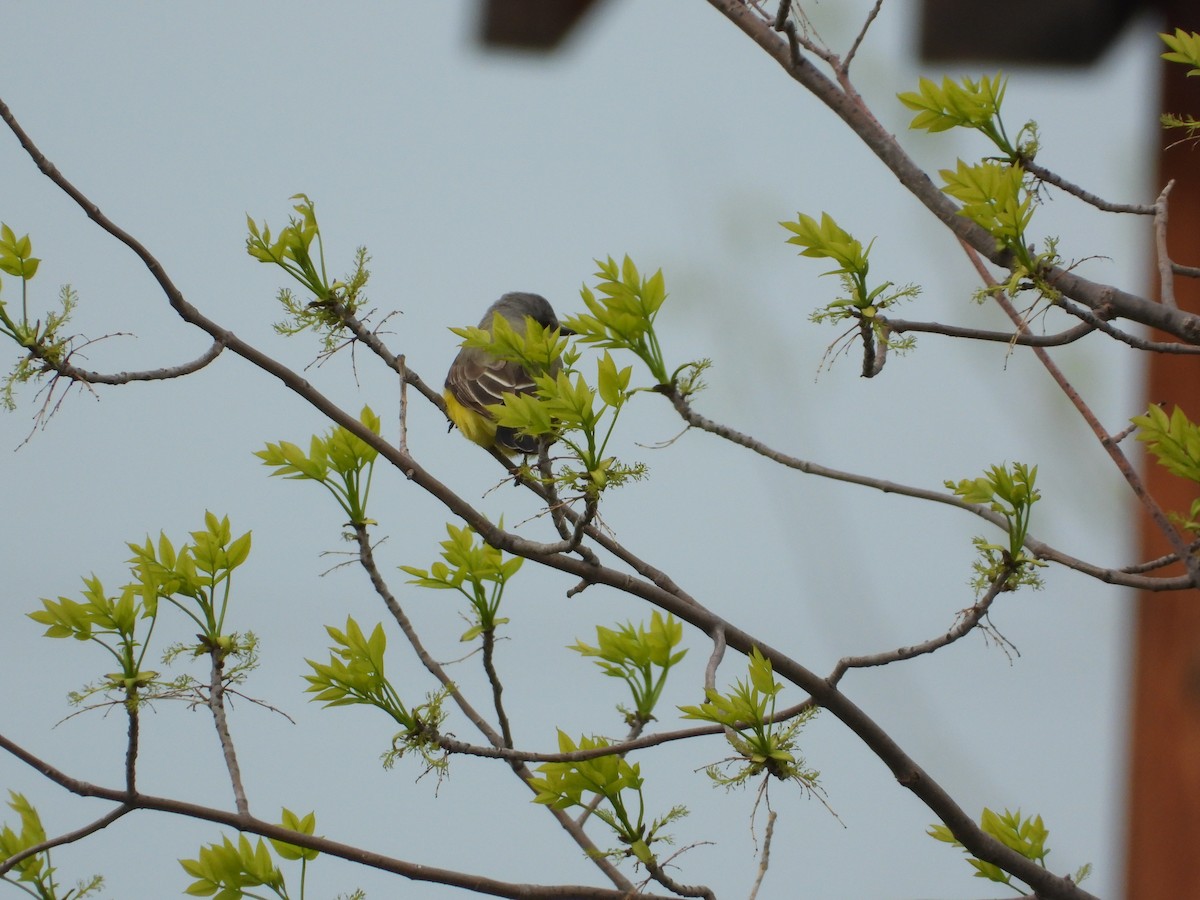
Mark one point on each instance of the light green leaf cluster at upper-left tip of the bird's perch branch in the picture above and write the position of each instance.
(293, 253)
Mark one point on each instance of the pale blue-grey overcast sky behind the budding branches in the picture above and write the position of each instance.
(661, 133)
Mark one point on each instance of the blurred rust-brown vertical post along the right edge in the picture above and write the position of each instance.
(1163, 844)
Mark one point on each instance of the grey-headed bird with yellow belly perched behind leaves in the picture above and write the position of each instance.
(477, 379)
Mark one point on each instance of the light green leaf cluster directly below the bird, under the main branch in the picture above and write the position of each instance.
(476, 571)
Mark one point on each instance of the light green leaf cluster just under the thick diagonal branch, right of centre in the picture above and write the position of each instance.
(763, 746)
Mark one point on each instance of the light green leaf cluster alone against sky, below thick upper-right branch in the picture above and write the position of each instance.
(829, 241)
